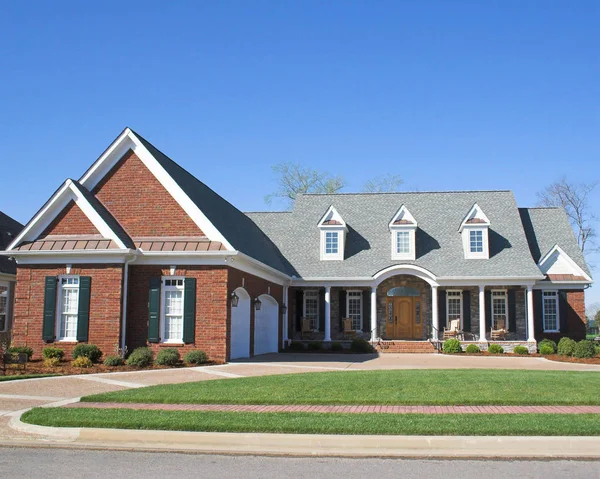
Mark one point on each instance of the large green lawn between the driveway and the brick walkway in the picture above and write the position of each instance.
(401, 387)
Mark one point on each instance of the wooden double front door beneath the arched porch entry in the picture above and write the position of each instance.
(404, 318)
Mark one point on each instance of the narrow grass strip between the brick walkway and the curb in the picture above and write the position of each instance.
(314, 423)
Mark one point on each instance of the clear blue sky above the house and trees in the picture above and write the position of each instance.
(449, 95)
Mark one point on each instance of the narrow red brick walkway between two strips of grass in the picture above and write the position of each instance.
(346, 409)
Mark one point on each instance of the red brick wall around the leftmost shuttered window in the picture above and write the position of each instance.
(105, 306)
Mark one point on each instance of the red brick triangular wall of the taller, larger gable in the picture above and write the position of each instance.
(140, 203)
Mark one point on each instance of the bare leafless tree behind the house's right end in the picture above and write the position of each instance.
(574, 199)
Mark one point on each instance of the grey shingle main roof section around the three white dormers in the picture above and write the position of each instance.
(438, 242)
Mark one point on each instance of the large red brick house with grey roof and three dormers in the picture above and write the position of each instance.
(139, 252)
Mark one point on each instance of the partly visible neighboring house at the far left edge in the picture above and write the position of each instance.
(9, 229)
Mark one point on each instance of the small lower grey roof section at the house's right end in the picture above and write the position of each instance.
(549, 227)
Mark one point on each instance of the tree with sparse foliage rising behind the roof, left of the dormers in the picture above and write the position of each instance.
(293, 179)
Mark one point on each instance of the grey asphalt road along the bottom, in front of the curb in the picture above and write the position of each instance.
(51, 463)
